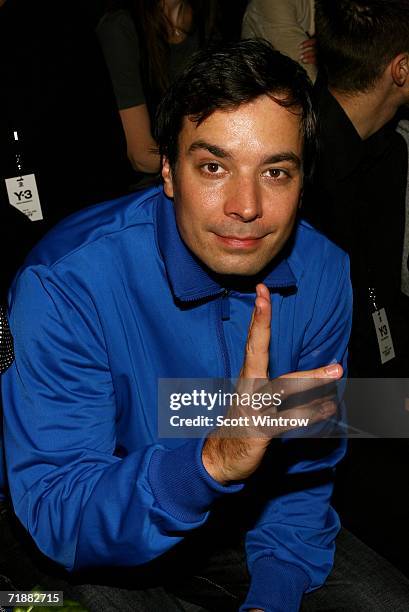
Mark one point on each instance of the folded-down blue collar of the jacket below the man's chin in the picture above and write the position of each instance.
(189, 279)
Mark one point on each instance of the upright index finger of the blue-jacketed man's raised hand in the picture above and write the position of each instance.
(258, 339)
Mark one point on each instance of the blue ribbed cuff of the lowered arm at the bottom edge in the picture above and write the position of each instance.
(276, 586)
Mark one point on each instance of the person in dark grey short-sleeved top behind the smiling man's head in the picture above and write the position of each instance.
(146, 44)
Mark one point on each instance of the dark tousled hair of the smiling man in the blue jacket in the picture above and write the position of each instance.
(224, 77)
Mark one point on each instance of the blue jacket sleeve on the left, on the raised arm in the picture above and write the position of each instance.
(82, 504)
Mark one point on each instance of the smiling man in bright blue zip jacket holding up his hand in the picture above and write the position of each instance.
(162, 285)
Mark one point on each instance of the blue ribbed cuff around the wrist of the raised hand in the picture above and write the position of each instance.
(181, 484)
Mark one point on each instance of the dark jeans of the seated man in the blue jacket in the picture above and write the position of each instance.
(361, 580)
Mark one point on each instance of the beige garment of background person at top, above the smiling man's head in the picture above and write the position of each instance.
(284, 24)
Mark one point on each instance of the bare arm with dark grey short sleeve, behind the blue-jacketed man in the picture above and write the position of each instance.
(119, 41)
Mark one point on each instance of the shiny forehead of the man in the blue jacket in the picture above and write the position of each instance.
(261, 124)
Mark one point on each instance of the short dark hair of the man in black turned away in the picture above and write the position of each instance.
(358, 38)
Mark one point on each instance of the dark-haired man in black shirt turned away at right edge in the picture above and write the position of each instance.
(359, 199)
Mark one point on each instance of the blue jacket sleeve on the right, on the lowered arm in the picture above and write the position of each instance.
(291, 548)
